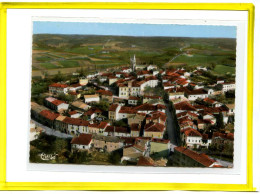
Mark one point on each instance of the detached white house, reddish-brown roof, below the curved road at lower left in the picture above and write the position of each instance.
(82, 142)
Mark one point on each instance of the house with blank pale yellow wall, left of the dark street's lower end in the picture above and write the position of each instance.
(159, 148)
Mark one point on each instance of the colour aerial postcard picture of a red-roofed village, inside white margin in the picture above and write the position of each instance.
(132, 94)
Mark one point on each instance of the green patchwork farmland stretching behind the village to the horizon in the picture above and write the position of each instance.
(54, 53)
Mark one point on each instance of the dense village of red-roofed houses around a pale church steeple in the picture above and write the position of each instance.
(142, 115)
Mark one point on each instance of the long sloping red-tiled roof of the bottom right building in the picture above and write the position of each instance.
(200, 158)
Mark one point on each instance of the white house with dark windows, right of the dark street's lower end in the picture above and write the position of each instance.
(192, 138)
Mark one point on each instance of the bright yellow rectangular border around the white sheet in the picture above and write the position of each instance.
(126, 186)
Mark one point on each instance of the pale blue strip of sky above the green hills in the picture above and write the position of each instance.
(124, 29)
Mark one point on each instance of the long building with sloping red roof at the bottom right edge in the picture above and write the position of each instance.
(184, 157)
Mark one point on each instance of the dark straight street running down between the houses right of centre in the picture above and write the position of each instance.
(170, 126)
